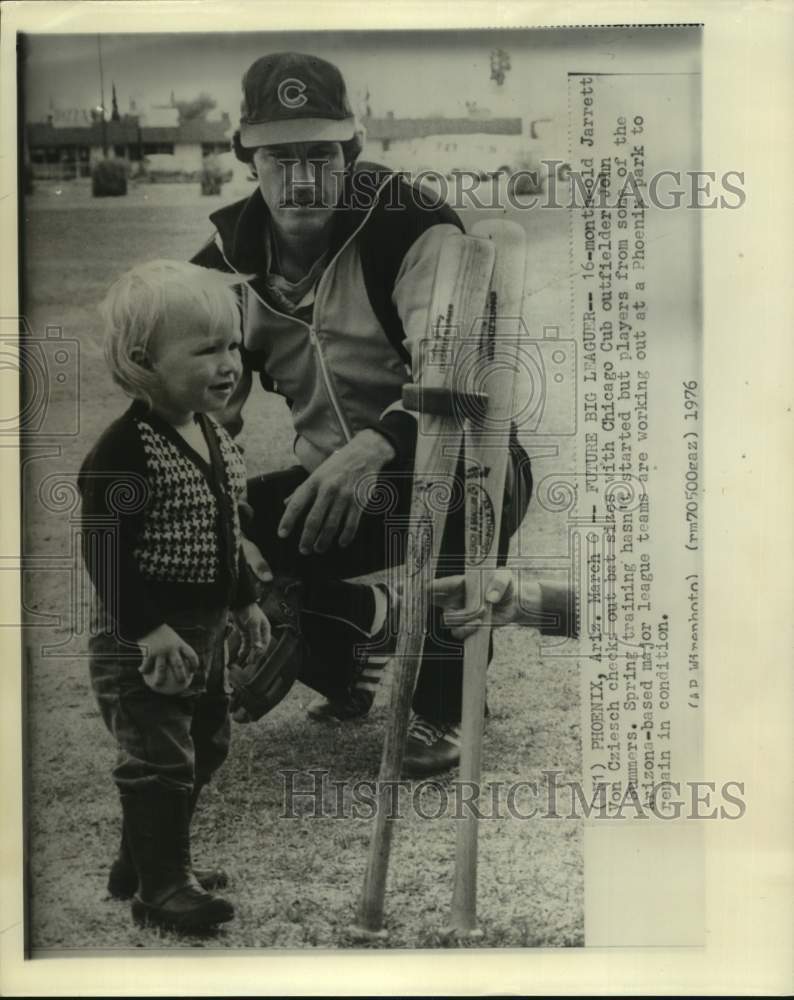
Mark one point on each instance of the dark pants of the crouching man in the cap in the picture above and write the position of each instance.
(379, 544)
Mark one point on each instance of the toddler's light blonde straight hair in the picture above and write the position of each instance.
(137, 305)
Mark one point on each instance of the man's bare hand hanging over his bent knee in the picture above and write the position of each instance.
(329, 494)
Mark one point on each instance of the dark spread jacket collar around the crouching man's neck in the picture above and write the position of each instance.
(242, 225)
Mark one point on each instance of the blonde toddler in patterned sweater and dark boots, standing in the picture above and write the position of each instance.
(166, 479)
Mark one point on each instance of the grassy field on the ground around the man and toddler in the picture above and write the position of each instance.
(294, 882)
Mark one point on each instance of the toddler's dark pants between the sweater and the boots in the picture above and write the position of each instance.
(176, 740)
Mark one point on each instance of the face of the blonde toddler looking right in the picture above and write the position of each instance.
(197, 370)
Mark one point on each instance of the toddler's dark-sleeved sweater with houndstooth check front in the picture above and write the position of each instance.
(169, 521)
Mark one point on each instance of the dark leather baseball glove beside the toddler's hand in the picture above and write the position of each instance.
(259, 684)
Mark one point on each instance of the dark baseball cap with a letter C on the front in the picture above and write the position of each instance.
(292, 97)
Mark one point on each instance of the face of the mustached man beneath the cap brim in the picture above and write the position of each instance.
(301, 183)
